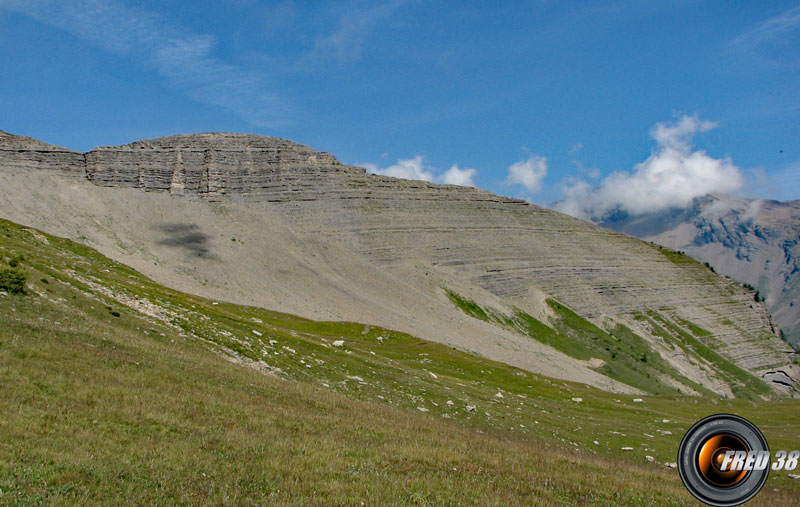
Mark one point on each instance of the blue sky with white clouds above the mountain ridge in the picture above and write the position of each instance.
(540, 100)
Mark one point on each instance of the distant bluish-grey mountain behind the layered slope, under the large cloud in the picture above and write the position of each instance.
(754, 241)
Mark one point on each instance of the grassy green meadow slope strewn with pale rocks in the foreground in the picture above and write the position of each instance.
(114, 390)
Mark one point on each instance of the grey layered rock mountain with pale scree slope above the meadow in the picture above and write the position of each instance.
(272, 223)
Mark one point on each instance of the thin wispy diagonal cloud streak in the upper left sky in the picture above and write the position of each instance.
(182, 57)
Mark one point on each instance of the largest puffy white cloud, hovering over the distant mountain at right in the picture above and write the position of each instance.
(673, 175)
